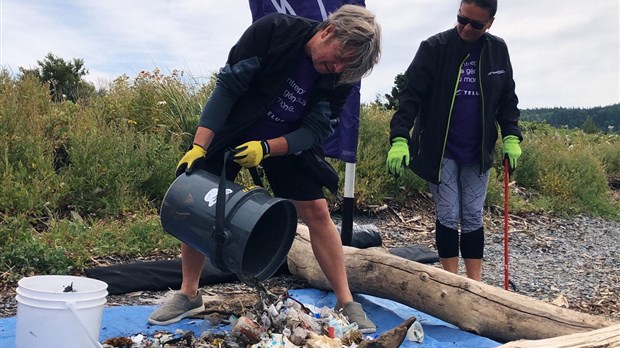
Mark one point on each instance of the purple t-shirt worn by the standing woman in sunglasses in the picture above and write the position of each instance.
(465, 132)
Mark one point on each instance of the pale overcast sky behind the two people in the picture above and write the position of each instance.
(564, 53)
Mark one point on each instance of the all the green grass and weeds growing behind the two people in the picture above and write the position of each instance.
(85, 180)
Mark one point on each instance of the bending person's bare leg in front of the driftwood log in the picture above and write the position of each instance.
(326, 245)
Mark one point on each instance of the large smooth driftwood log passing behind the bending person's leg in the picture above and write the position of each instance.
(472, 306)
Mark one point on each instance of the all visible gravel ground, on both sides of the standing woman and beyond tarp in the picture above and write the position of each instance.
(569, 262)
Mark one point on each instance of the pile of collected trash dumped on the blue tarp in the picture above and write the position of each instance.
(276, 321)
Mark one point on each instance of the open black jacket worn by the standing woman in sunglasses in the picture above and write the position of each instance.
(427, 100)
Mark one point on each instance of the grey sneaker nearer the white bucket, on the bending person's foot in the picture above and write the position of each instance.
(178, 307)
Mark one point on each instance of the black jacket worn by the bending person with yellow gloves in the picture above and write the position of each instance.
(255, 72)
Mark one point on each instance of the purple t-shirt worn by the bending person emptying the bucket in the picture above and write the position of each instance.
(286, 112)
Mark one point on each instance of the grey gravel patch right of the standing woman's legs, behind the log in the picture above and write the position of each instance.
(574, 259)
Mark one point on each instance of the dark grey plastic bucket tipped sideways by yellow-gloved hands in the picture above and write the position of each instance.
(258, 229)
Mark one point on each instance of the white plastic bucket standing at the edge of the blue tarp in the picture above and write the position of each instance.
(47, 316)
